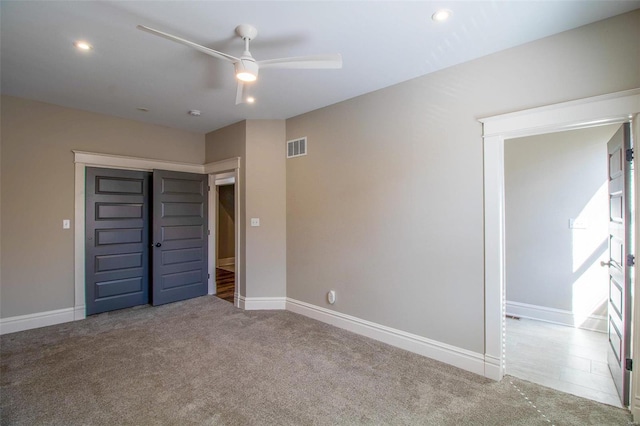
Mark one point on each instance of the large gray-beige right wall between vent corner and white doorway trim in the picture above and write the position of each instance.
(387, 207)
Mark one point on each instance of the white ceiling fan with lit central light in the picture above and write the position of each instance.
(246, 67)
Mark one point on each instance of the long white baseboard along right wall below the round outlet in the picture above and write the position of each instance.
(458, 357)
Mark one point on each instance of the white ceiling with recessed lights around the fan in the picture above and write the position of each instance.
(382, 43)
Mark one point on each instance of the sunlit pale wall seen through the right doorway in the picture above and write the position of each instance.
(550, 179)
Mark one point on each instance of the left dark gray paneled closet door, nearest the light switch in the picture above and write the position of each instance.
(116, 239)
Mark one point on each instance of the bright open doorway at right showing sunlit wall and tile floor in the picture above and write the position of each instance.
(556, 241)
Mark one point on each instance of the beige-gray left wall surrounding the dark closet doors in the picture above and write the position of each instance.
(37, 139)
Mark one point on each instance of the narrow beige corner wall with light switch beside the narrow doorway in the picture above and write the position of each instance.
(261, 146)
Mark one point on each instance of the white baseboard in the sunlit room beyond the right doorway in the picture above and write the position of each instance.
(556, 316)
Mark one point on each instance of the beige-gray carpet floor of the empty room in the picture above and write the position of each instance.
(204, 362)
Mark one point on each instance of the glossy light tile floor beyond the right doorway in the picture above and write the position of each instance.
(563, 358)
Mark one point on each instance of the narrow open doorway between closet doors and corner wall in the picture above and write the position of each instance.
(225, 237)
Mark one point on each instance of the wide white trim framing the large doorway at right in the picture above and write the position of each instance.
(599, 110)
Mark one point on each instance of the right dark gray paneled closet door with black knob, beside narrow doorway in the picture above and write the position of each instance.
(179, 236)
